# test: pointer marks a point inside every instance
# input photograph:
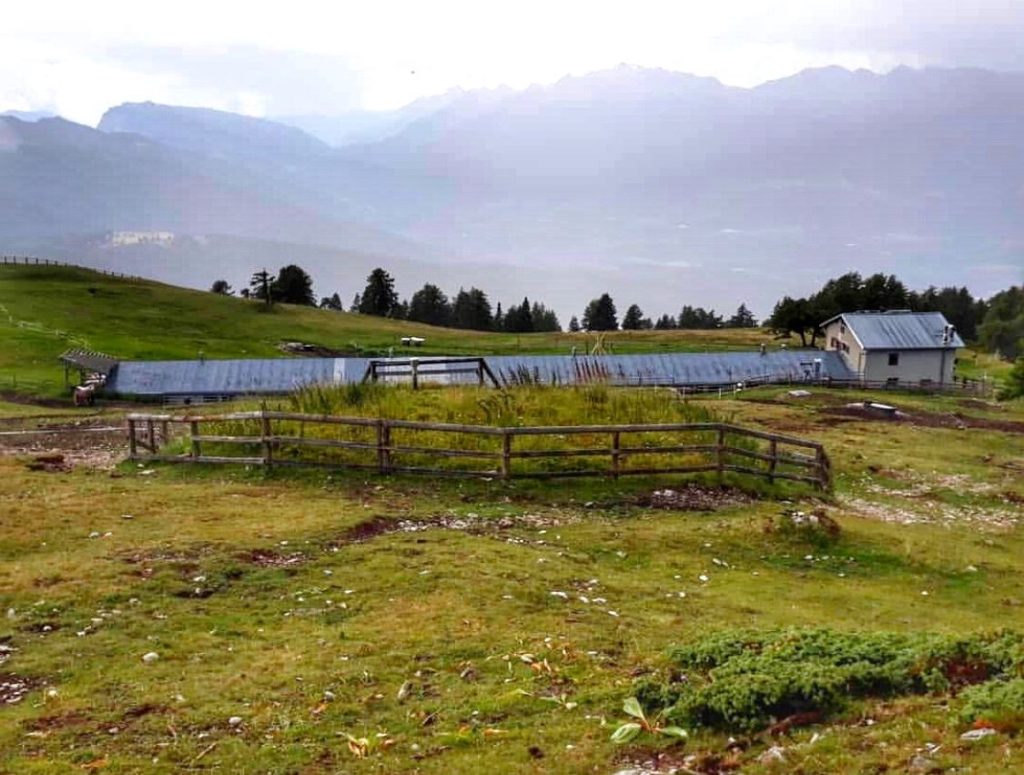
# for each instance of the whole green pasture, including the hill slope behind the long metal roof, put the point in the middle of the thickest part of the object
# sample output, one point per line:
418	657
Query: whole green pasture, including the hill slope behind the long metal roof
179	619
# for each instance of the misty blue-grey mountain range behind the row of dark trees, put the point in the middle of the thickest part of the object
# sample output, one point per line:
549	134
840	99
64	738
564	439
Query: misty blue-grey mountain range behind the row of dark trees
662	188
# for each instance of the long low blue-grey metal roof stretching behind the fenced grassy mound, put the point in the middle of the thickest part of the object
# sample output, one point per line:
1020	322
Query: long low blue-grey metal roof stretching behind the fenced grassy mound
215	378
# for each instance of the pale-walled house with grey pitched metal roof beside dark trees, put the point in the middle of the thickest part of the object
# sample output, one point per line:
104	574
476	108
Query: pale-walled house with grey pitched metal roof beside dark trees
898	347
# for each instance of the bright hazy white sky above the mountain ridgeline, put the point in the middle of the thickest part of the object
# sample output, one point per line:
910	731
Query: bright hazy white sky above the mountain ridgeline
300	57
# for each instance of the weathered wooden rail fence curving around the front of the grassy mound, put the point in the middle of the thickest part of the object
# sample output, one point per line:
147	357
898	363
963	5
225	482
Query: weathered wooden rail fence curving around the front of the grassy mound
280	439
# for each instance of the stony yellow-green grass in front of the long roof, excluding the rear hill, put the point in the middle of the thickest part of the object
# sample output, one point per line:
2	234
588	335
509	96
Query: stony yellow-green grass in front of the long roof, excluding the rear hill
336	622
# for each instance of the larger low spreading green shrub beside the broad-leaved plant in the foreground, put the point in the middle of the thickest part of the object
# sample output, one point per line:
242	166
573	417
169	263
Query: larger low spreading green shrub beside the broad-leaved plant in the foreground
746	680
